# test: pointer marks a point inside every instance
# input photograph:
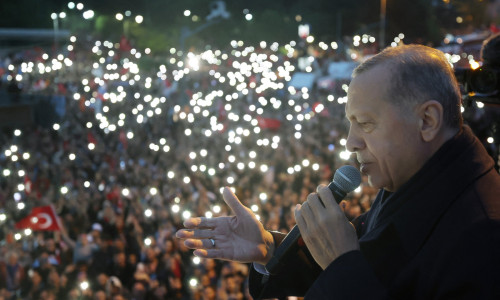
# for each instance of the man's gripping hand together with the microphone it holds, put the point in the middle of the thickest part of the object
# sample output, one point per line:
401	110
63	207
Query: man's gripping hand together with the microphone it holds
322	224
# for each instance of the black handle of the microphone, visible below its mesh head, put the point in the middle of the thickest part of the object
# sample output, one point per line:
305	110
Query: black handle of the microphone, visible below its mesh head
293	240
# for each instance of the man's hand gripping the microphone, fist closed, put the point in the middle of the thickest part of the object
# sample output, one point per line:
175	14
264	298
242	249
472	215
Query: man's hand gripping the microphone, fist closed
325	229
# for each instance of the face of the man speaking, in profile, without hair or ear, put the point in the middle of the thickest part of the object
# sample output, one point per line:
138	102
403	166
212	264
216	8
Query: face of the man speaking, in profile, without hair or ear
384	137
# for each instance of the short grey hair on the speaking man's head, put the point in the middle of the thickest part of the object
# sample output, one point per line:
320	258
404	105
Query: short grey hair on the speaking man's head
419	74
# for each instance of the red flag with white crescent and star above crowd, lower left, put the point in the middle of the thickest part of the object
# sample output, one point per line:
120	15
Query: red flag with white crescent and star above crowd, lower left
43	218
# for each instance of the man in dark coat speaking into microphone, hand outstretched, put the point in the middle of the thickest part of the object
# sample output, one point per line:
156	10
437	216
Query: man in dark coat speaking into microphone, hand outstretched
433	231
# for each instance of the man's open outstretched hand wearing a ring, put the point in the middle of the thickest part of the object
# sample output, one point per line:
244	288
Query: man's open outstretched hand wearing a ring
240	238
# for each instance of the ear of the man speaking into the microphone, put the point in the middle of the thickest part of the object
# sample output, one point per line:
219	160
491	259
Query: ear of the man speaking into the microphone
431	119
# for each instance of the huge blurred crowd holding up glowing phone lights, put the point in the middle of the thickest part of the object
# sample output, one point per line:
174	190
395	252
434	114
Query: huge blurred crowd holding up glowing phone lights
132	153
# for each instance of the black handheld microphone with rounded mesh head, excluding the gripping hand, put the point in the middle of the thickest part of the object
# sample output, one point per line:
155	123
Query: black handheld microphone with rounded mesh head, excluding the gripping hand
345	180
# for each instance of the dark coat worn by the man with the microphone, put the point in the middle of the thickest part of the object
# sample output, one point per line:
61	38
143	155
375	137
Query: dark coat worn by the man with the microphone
437	237
